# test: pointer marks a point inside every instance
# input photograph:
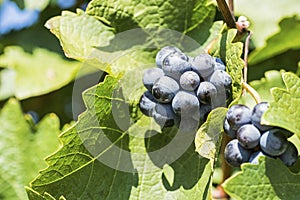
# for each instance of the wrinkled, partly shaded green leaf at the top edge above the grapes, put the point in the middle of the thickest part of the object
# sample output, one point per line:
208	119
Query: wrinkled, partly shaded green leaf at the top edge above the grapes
194	20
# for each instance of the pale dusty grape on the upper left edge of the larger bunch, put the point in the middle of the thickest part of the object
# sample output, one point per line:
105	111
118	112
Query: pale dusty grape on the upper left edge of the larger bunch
150	76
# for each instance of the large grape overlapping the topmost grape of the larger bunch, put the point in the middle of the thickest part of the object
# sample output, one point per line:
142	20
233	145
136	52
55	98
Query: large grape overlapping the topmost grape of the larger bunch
174	66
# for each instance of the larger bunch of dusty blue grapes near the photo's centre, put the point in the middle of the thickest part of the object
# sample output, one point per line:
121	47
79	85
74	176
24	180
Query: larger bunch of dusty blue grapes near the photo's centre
182	90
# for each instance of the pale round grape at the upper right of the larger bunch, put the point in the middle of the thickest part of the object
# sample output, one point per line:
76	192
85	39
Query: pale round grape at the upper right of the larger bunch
203	64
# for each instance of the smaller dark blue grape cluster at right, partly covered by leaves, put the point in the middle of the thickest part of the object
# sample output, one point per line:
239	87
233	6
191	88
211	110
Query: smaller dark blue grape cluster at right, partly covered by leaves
251	139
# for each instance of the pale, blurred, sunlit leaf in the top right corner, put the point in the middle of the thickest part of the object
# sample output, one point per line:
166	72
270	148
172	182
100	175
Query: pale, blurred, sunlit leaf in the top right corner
265	24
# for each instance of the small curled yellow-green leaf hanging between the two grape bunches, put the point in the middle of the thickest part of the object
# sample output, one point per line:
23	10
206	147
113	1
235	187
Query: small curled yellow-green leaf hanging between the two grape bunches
209	136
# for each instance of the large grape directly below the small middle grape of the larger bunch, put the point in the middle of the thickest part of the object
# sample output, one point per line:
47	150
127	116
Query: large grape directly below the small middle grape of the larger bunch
186	104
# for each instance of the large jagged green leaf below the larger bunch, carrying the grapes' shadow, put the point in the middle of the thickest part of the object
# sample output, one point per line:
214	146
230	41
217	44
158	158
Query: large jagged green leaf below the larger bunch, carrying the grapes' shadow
106	156
